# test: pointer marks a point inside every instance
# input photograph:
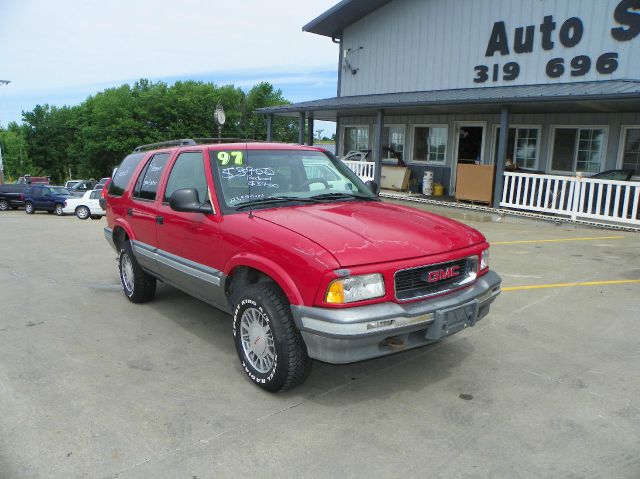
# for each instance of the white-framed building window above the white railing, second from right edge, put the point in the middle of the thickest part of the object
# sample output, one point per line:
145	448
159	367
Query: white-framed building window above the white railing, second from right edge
578	149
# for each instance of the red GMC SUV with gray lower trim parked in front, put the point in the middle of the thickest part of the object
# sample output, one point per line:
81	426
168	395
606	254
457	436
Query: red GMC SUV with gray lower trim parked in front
307	259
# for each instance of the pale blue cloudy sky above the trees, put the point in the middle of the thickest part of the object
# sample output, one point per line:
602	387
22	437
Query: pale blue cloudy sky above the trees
60	52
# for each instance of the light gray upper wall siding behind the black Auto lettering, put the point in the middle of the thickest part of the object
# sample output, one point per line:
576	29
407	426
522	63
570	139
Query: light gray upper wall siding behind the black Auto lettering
423	45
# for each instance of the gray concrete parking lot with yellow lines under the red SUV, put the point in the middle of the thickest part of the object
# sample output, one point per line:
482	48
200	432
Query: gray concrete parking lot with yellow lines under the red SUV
94	386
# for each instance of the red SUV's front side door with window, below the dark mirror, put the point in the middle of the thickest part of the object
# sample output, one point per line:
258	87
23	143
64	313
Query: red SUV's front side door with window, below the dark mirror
188	242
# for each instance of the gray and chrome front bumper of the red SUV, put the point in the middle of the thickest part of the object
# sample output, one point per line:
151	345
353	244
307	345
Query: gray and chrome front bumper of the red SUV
341	336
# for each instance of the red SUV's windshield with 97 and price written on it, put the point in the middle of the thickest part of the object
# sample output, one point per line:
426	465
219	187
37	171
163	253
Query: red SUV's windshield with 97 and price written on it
281	177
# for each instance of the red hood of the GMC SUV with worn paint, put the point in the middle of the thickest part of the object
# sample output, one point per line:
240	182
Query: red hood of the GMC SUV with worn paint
364	232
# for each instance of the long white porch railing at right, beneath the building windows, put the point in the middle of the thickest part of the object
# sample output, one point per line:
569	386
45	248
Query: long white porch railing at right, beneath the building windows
576	197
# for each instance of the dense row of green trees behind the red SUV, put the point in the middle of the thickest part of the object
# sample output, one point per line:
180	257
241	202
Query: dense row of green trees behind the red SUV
90	139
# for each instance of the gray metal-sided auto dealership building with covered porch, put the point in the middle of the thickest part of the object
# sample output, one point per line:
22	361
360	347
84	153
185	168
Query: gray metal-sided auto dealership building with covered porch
545	85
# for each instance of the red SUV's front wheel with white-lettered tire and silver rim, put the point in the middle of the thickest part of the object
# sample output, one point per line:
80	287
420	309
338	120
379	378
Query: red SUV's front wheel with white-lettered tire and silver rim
270	347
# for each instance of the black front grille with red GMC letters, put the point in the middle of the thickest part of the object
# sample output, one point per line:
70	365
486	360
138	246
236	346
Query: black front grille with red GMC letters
432	279
